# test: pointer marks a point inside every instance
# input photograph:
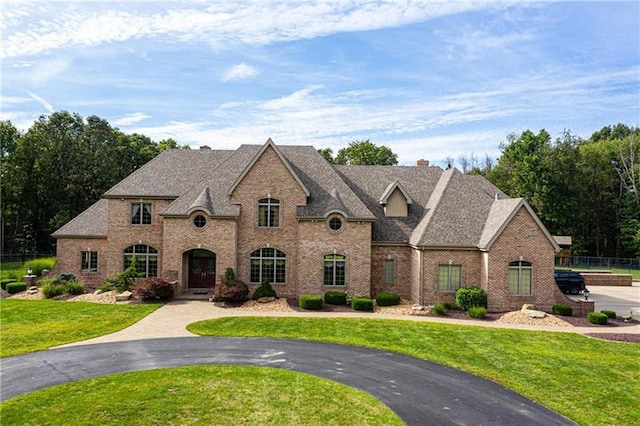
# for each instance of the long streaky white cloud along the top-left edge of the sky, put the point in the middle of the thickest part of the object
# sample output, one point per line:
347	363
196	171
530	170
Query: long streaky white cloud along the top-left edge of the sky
222	24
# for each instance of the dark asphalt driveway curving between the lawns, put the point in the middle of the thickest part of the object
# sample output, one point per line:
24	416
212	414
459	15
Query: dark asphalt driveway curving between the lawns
420	392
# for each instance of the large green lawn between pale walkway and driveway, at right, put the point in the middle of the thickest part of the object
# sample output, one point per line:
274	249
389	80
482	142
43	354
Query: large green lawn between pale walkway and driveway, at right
593	382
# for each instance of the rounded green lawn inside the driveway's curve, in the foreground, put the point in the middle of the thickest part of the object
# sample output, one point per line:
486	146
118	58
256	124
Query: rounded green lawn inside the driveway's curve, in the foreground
207	395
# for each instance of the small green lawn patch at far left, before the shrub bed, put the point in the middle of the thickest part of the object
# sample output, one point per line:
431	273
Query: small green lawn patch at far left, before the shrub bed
32	325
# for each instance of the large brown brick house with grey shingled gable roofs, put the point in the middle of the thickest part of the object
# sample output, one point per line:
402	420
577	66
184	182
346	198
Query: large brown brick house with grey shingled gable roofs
285	214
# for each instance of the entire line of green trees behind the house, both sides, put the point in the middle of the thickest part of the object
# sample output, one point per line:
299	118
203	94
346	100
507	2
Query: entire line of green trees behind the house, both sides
584	188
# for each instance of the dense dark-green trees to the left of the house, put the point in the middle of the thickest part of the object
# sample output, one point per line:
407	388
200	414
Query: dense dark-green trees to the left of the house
56	169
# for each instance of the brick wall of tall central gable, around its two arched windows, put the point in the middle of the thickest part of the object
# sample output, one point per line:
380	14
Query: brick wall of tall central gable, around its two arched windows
268	178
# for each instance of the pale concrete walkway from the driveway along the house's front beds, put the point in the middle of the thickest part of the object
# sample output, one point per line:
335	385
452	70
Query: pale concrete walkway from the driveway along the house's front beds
172	319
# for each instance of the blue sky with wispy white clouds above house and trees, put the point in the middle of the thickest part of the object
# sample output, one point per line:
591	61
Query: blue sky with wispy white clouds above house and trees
428	79
